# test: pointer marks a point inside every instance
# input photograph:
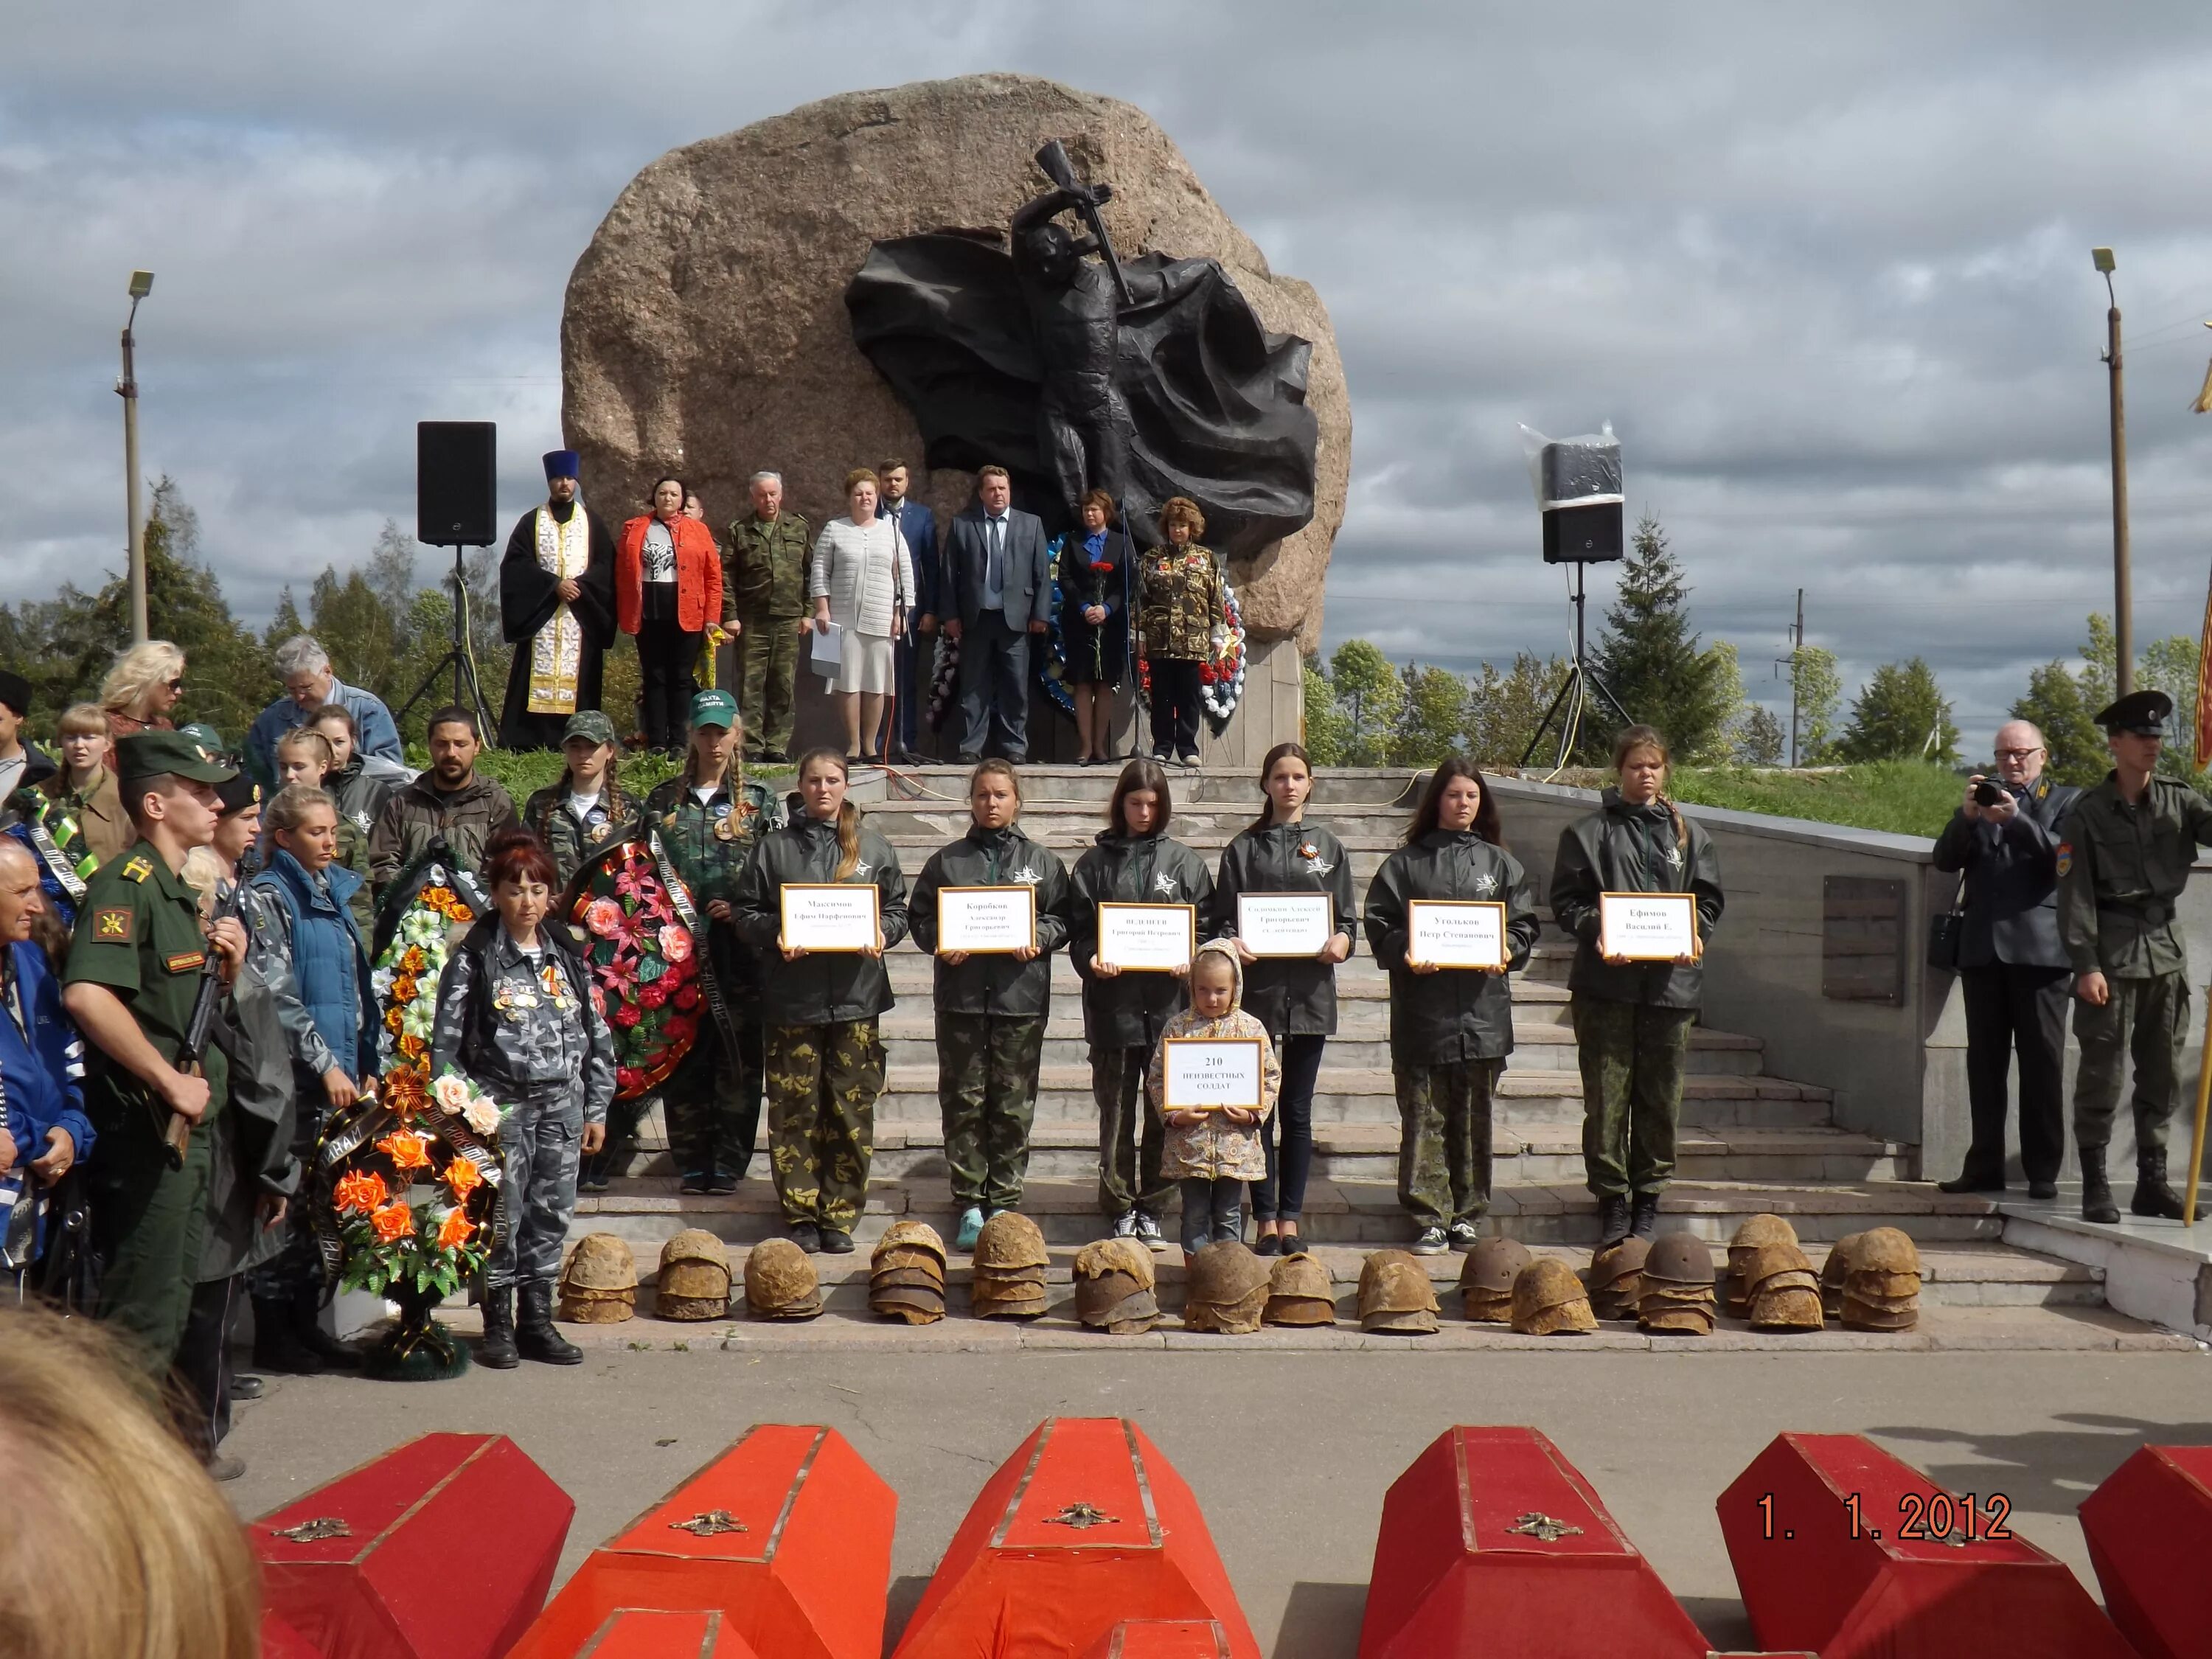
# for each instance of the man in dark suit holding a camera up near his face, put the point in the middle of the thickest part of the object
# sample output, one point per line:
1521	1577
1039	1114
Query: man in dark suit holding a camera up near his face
2012	966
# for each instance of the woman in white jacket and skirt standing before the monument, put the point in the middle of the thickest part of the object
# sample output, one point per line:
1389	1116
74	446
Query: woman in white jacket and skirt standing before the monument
862	578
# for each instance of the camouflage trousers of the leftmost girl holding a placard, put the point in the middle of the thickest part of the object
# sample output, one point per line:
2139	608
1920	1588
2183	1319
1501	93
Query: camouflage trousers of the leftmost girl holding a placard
822	1118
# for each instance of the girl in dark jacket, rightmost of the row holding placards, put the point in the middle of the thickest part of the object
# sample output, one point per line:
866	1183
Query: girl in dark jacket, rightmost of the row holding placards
1634	1014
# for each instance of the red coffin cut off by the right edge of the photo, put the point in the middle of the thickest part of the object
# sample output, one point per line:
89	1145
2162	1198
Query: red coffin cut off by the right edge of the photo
2151	1541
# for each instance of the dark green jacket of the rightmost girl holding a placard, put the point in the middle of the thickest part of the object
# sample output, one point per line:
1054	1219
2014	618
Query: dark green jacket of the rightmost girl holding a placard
1634	851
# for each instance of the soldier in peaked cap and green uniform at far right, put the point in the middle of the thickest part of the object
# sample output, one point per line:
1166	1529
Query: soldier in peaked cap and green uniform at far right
2122	866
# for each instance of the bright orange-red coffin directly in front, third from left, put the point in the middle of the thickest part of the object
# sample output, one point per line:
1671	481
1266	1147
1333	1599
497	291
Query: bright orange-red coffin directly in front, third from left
1081	1530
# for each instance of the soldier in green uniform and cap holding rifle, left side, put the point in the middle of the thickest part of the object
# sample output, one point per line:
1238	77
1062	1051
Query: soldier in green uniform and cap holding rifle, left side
134	979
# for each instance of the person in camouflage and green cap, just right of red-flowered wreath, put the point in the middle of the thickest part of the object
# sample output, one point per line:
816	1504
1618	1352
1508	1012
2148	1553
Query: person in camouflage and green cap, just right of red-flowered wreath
713	1098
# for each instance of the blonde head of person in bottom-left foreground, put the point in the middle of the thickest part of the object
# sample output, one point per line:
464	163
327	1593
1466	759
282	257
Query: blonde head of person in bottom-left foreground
116	1543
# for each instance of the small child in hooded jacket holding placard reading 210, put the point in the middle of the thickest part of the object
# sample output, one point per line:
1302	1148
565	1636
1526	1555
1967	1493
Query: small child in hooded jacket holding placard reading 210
1213	1154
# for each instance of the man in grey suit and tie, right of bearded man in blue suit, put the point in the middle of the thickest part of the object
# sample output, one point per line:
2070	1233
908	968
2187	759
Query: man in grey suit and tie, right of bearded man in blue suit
997	592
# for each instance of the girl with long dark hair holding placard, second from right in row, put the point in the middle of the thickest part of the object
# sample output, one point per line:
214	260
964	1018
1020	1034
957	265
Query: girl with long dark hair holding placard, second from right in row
1450	1025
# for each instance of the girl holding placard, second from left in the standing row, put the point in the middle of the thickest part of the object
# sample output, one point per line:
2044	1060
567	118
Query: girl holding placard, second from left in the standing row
994	990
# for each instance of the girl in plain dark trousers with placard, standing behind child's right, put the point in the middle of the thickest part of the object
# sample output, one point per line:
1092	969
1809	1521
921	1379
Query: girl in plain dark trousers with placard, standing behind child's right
1291	994
